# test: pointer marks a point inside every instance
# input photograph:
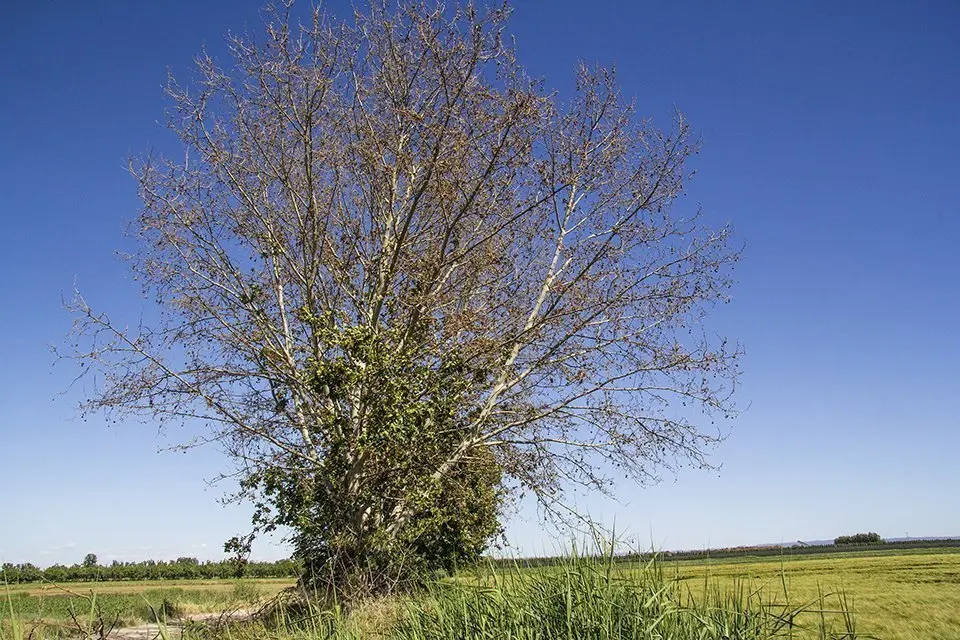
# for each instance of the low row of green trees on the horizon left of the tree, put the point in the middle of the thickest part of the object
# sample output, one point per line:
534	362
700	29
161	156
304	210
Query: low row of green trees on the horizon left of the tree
180	569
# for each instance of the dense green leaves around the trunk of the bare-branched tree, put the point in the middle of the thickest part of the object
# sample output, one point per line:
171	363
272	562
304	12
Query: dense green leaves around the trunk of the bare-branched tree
374	512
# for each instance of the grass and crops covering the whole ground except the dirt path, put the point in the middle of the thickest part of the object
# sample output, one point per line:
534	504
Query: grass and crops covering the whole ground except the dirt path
890	594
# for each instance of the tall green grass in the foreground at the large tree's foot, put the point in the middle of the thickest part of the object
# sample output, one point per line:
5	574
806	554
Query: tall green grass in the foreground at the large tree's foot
584	598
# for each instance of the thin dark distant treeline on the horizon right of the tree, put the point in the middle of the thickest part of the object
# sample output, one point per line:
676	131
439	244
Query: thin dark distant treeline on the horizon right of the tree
738	552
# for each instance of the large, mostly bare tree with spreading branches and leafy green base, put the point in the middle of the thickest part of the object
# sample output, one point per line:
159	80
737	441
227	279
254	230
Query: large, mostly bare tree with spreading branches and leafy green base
395	276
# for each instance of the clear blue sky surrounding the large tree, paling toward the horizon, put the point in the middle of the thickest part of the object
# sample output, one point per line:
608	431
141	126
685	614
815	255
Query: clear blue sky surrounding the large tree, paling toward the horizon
831	140
